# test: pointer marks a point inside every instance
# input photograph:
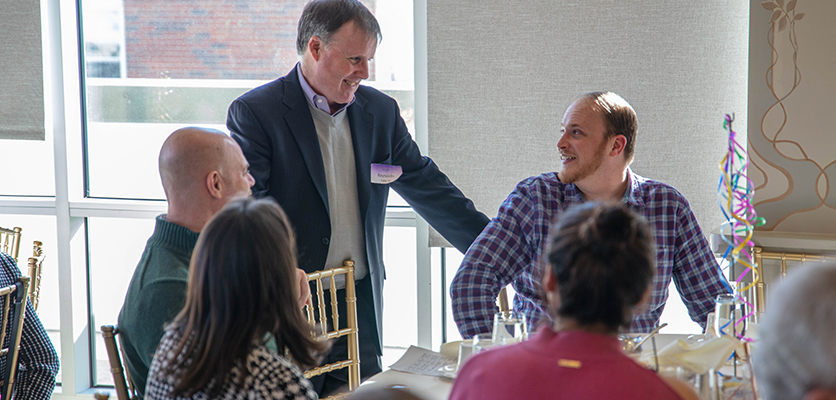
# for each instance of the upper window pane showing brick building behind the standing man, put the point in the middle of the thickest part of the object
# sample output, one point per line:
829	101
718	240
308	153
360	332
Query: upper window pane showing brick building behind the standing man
153	66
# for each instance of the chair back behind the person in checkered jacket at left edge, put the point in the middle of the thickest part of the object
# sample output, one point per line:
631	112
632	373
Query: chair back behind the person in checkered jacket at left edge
13	299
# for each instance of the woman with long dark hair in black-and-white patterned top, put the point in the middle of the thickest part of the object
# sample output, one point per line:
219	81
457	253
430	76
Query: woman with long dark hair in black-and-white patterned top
242	289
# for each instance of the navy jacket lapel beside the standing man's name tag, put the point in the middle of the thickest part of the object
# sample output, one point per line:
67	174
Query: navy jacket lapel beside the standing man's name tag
362	127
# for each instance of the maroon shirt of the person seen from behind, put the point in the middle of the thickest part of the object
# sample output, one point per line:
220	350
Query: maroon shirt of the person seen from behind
567	365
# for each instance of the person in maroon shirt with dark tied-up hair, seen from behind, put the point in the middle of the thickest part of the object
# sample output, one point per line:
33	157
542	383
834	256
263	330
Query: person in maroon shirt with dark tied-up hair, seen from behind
599	270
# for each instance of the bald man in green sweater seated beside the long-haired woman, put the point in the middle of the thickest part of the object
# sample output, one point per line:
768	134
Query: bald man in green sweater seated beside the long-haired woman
201	171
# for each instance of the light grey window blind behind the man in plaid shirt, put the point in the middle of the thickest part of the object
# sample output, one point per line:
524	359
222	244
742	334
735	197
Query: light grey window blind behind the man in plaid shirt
501	74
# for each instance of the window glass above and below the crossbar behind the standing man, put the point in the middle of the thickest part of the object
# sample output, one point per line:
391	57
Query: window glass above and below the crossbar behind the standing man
153	66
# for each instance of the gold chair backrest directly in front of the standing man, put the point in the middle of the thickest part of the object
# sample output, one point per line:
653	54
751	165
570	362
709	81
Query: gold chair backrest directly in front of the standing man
350	331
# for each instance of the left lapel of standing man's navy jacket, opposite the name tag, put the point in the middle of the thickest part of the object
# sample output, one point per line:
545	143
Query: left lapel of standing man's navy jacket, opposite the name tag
301	125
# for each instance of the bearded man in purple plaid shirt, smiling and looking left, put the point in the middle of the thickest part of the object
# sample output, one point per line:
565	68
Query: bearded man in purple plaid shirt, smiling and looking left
596	147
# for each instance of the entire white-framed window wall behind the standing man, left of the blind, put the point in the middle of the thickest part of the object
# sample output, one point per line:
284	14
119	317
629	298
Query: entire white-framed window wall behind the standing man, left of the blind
120	76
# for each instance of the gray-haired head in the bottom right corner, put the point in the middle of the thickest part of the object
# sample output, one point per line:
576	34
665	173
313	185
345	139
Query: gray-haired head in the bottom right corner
797	350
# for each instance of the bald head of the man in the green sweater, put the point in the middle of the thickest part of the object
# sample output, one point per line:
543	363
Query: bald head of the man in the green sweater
201	170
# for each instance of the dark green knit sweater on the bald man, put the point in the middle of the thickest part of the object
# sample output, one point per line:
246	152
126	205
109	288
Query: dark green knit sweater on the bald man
156	294
